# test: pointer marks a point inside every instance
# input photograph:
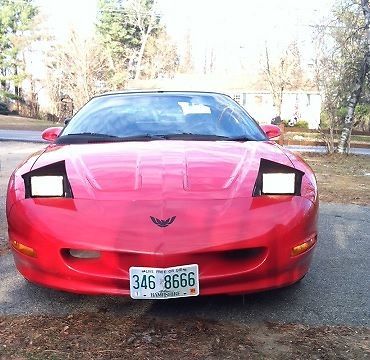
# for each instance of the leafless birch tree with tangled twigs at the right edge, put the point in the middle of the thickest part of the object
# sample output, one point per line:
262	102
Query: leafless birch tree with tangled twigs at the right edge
341	69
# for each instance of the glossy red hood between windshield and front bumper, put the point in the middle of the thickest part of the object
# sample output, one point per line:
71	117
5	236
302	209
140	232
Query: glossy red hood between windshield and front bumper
162	169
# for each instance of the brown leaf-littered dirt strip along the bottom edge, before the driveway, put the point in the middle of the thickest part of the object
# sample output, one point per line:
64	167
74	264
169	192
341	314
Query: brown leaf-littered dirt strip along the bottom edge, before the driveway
106	336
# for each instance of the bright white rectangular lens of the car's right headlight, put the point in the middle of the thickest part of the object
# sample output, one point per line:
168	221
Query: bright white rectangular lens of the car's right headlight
278	183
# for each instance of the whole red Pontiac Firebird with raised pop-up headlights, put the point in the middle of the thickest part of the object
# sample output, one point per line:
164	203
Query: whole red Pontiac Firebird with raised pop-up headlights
160	195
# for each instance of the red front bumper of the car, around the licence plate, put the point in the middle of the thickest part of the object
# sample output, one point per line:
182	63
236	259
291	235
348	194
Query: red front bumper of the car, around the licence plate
239	249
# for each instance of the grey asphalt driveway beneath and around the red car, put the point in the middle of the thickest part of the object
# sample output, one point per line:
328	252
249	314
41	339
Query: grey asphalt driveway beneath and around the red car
336	291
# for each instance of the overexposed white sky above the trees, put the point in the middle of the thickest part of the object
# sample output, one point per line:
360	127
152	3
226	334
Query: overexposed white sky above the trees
237	31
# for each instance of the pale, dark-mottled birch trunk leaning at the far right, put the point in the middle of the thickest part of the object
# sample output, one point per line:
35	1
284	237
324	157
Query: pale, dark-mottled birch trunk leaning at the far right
357	90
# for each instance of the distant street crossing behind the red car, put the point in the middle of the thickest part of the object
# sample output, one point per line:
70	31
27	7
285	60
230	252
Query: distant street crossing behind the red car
35	136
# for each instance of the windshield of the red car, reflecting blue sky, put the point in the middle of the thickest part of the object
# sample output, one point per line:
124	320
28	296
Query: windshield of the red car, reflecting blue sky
150	116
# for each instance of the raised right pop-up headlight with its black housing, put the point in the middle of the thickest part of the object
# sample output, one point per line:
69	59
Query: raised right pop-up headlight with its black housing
277	179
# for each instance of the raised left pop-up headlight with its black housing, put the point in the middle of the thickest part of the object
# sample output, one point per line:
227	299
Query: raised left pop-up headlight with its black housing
48	181
